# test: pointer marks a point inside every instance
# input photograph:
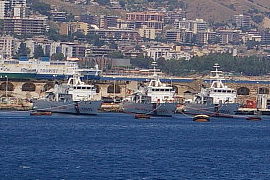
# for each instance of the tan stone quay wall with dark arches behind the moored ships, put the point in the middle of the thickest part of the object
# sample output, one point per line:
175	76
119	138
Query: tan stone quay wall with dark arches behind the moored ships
26	89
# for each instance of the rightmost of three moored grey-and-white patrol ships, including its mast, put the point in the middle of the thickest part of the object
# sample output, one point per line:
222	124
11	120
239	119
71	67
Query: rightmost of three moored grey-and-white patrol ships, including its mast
217	100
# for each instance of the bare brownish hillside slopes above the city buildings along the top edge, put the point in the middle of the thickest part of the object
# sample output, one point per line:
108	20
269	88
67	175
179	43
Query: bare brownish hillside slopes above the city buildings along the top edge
210	10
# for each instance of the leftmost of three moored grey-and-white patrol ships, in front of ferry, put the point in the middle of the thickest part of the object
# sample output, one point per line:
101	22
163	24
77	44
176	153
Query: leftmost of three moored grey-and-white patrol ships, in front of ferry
75	97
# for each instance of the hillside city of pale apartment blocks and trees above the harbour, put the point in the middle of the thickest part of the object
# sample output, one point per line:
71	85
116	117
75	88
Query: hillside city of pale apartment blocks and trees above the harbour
125	35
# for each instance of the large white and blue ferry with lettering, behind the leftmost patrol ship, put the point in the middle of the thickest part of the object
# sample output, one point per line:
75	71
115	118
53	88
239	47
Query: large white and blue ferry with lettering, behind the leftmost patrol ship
50	70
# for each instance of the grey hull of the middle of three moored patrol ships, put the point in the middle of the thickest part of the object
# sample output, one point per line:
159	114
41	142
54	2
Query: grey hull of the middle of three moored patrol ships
154	109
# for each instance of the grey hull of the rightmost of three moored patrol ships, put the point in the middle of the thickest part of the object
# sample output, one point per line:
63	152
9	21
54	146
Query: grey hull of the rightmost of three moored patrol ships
223	110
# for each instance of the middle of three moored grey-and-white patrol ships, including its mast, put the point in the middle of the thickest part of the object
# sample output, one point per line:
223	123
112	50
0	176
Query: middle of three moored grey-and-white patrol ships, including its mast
156	99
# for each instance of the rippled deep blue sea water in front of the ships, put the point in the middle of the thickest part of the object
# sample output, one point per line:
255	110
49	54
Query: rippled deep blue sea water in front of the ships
117	146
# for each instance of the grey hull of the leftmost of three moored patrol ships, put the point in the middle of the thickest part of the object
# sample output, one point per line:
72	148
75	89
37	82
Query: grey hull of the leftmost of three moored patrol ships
82	107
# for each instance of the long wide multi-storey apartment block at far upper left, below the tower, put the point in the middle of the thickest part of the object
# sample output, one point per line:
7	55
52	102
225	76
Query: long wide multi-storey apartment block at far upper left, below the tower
34	25
